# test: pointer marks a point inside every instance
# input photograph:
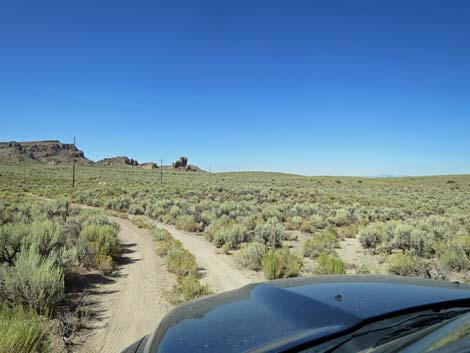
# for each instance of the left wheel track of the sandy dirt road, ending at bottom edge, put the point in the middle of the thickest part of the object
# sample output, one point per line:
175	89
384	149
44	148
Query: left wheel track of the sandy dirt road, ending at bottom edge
133	303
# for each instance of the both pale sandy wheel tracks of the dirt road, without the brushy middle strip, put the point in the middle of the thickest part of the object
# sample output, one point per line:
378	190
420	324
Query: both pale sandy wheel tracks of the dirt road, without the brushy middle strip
133	303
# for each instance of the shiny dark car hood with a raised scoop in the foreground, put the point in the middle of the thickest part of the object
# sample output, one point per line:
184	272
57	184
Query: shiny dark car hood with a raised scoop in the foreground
283	314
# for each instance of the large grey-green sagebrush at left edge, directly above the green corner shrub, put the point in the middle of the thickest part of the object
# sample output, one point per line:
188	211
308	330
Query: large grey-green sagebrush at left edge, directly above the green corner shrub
33	280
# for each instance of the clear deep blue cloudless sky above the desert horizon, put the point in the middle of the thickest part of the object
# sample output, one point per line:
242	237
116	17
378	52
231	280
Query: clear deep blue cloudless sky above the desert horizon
351	87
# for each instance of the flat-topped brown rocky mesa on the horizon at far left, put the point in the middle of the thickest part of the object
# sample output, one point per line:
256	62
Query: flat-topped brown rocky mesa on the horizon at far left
50	151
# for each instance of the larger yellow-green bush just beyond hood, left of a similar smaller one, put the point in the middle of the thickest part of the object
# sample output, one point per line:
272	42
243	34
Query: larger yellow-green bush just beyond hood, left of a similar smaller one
280	263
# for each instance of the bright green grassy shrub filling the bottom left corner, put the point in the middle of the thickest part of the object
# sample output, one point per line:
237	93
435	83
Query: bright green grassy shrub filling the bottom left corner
22	330
